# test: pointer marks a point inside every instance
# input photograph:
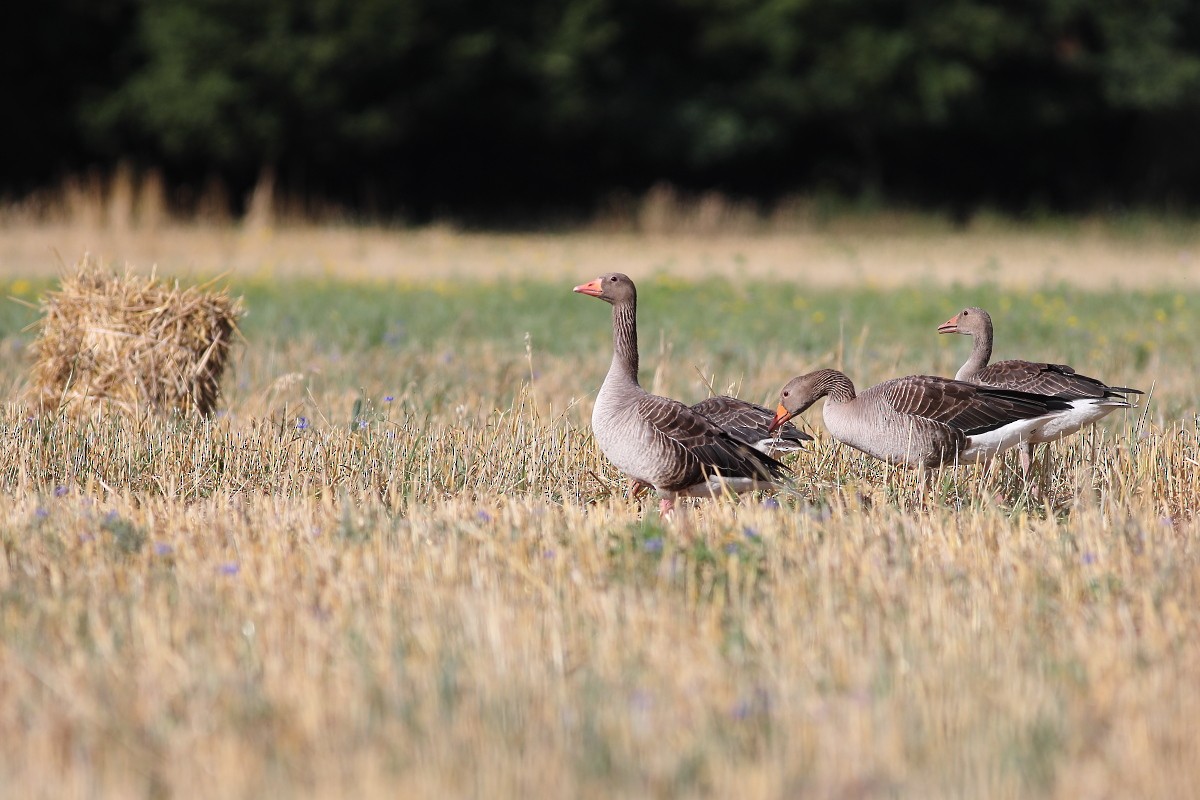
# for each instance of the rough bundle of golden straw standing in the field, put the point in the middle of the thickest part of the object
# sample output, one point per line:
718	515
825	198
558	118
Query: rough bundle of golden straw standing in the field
131	342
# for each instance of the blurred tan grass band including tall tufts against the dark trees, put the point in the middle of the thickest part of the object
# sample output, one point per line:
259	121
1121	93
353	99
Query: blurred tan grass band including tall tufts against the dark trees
128	218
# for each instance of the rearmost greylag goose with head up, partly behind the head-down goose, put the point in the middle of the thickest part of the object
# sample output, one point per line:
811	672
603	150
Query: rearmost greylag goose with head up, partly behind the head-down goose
1091	400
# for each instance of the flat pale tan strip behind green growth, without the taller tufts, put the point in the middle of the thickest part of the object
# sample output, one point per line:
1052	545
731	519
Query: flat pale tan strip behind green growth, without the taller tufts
877	252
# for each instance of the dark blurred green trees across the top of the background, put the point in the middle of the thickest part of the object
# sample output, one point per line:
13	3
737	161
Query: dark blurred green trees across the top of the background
490	109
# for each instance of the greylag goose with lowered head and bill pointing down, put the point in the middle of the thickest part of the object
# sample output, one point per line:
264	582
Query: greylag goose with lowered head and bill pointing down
920	420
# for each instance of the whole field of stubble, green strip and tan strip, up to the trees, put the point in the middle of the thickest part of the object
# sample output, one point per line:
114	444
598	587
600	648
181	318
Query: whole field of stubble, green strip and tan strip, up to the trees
397	566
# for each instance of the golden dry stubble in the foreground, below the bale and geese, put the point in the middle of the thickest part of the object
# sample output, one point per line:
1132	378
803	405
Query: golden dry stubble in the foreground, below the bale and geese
422	607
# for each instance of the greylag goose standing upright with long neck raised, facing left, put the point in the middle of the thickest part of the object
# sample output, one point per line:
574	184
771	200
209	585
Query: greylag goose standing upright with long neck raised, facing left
657	441
